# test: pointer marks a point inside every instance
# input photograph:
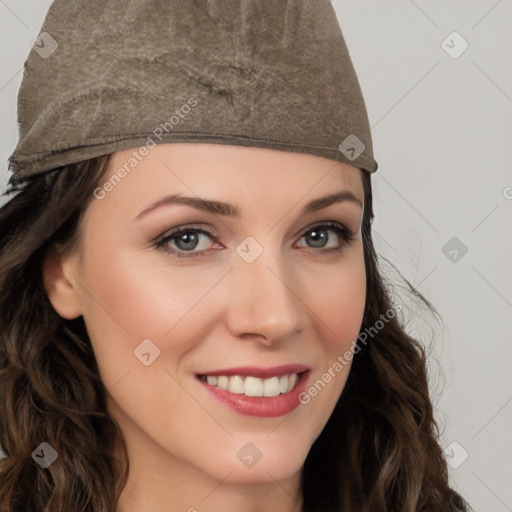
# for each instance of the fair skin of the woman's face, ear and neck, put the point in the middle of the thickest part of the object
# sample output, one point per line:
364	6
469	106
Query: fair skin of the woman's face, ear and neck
296	303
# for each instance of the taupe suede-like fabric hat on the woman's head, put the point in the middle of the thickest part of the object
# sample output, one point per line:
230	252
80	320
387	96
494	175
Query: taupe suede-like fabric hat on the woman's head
107	75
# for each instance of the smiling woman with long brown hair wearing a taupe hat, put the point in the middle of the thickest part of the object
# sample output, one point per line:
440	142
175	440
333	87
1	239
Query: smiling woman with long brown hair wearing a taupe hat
192	314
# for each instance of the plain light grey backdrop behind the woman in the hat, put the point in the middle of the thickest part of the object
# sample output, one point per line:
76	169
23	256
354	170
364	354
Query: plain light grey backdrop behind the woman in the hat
442	136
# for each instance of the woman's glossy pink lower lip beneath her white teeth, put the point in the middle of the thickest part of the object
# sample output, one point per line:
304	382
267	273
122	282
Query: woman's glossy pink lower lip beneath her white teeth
263	406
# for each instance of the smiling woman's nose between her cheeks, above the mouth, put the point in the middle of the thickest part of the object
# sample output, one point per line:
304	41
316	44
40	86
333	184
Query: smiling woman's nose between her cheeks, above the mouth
262	300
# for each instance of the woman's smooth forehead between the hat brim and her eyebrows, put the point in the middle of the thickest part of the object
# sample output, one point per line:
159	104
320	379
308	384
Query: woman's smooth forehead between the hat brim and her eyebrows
219	167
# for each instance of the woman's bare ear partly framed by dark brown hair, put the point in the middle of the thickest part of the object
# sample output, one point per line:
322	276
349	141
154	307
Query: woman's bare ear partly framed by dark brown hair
60	285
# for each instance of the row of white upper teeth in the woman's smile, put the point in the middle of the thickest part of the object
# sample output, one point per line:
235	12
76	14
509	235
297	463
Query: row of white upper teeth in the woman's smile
253	386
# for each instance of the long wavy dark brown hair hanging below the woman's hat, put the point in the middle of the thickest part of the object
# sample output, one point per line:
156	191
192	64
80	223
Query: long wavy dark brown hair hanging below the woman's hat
379	451
